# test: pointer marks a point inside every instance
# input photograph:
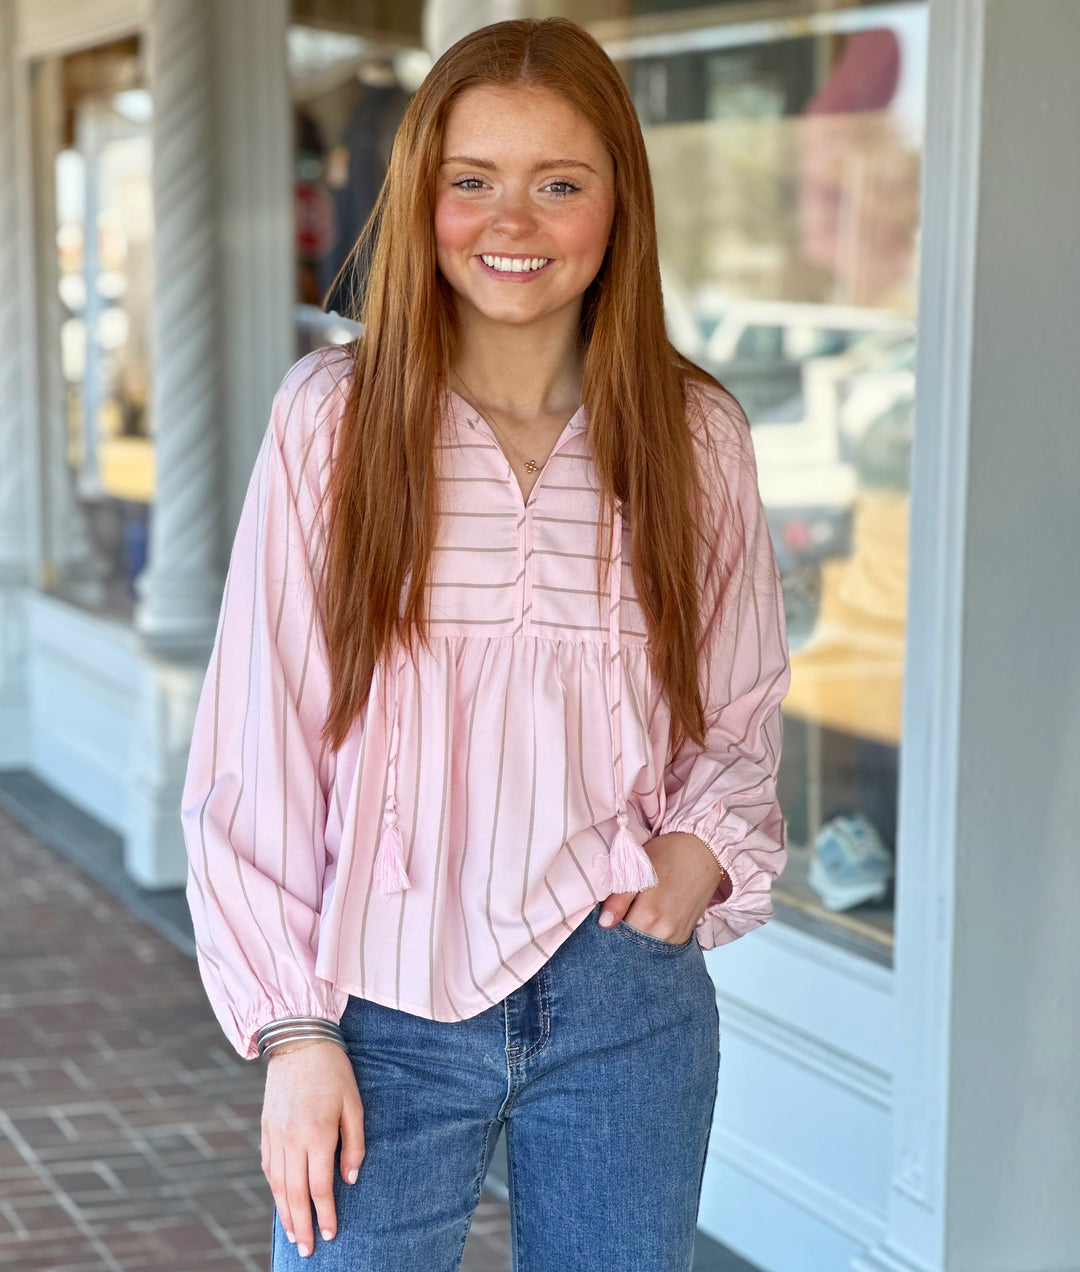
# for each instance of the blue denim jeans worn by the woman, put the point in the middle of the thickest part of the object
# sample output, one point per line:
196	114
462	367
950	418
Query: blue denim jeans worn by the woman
602	1069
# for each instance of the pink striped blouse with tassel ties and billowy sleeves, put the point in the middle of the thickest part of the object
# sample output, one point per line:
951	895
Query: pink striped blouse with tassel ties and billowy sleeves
490	796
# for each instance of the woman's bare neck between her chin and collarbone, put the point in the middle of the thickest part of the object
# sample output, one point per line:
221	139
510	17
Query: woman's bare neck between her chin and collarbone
518	372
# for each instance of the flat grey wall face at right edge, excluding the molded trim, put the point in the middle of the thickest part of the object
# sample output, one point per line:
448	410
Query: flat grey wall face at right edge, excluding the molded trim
1014	1105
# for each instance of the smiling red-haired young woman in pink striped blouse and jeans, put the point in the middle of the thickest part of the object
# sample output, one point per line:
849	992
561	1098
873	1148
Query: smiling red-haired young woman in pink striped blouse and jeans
488	746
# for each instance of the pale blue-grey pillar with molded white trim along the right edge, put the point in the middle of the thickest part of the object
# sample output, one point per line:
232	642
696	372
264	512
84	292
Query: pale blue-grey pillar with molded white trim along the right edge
987	1157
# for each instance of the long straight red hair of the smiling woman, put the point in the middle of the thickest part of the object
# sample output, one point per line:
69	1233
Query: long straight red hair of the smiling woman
384	485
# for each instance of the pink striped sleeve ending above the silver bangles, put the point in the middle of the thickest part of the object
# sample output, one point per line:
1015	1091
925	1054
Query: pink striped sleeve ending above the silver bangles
255	798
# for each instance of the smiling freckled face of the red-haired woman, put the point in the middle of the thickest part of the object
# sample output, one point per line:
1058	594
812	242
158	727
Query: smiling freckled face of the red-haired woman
525	204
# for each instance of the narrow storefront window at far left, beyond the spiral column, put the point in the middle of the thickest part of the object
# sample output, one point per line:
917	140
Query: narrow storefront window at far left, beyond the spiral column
92	132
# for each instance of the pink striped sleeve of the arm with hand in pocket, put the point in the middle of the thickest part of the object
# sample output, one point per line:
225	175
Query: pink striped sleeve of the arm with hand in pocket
726	793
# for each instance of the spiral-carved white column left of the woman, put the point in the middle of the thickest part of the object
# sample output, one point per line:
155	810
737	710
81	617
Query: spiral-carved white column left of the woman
181	590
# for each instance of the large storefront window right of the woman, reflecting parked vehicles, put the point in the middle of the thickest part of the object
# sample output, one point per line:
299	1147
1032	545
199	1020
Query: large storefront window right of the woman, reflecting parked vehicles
786	157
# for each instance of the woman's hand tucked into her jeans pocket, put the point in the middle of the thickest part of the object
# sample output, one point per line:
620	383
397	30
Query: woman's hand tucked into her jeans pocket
689	877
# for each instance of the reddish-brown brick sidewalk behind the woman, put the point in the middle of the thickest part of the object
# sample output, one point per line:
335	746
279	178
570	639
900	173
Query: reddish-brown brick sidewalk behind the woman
129	1129
